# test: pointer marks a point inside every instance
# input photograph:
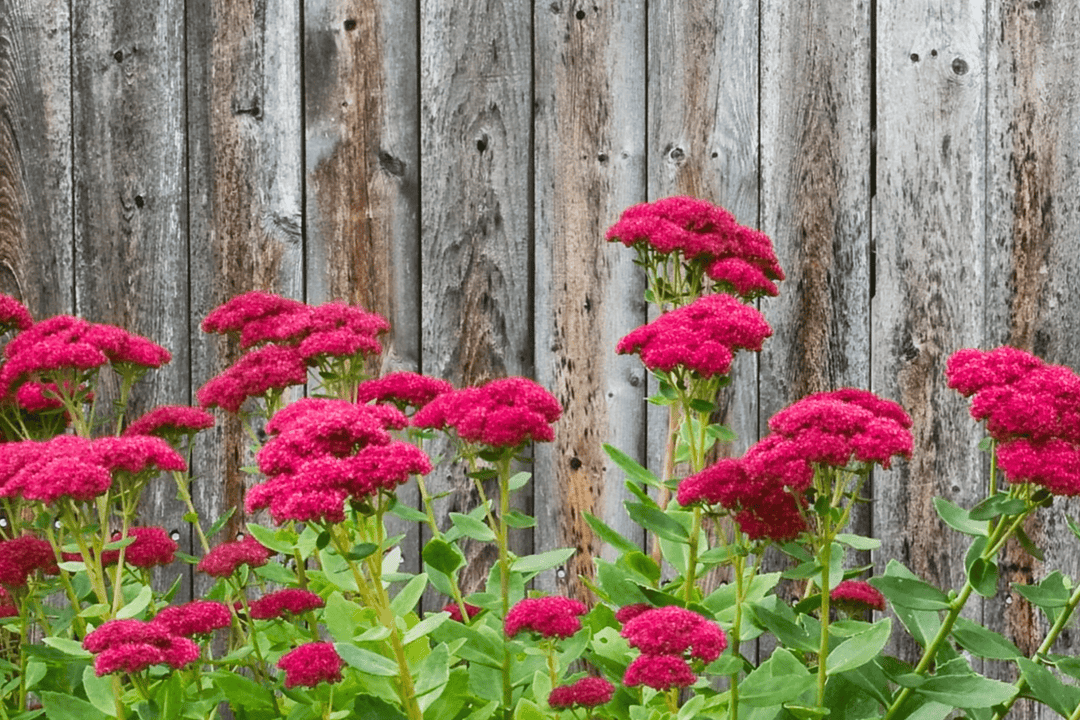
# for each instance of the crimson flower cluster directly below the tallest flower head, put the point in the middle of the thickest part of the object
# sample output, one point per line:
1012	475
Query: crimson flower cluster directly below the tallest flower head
701	337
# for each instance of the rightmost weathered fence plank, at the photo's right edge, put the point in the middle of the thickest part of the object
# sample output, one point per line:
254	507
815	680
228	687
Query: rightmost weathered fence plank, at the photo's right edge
1034	253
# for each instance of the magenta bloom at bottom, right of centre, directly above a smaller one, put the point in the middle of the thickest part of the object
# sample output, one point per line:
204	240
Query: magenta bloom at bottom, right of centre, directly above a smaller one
673	631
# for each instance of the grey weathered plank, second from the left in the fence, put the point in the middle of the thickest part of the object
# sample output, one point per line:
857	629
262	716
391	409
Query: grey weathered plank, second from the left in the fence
130	199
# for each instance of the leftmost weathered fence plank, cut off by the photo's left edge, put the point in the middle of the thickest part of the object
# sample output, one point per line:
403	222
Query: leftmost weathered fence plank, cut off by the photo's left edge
36	216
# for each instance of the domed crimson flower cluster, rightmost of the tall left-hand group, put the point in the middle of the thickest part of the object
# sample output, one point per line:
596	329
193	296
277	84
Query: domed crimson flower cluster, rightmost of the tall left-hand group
503	414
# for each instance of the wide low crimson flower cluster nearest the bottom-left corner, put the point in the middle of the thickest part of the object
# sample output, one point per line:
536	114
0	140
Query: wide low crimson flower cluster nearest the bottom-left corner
132	646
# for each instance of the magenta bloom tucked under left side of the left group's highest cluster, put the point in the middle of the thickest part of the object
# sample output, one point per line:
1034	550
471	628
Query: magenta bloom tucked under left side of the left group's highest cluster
254	375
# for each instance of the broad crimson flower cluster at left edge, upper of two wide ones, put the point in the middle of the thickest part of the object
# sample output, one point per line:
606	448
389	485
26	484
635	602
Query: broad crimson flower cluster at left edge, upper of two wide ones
66	343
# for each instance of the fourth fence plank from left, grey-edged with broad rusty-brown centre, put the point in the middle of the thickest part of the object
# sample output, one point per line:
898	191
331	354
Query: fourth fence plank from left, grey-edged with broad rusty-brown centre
363	153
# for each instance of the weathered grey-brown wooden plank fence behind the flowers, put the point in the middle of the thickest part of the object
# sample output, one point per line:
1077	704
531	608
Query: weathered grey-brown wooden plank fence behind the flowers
454	165
